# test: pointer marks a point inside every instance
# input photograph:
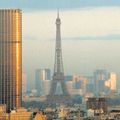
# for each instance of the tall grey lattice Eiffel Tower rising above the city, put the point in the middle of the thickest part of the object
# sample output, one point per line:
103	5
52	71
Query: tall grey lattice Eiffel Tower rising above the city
58	76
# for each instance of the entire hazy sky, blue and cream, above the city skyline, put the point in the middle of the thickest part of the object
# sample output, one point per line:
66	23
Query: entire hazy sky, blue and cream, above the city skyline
90	33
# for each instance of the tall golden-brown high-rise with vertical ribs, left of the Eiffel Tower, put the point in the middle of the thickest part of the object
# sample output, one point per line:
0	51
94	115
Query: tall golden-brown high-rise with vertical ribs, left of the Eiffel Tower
10	57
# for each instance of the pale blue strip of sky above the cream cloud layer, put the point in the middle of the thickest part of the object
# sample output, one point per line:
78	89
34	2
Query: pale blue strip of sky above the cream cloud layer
54	4
